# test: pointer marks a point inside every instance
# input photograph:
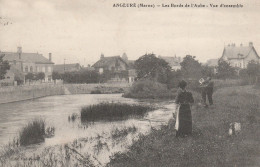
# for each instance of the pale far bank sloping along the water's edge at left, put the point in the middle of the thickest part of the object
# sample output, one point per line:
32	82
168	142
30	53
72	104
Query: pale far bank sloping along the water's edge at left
27	92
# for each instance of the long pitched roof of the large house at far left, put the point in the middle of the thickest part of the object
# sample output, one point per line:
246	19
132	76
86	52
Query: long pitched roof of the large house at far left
26	57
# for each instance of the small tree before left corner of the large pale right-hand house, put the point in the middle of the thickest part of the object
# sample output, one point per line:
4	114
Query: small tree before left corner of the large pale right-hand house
225	70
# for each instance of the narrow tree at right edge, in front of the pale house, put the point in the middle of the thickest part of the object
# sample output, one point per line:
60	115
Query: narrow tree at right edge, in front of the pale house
253	70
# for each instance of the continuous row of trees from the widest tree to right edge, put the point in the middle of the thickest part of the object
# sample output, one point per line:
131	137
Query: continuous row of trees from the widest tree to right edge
151	67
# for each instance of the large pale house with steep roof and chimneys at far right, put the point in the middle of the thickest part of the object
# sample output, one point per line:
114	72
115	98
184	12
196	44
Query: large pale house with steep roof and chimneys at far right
239	56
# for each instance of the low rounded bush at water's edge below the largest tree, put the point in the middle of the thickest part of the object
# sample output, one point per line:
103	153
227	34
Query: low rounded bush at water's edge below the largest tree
146	88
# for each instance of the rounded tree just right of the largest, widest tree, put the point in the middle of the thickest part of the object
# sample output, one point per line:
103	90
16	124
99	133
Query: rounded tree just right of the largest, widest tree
191	68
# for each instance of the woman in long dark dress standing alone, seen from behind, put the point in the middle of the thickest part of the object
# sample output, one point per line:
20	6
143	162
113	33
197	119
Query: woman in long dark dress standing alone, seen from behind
183	101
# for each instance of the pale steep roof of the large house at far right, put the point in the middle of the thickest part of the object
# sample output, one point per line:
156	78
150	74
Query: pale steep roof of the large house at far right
237	52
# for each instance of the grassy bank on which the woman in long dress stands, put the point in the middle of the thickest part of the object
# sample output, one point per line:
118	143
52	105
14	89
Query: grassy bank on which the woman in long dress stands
210	145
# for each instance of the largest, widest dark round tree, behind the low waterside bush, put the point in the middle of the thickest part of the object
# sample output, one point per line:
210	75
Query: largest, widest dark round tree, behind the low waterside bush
149	66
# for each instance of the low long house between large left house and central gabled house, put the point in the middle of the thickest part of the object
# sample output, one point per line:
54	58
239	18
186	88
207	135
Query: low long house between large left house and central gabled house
61	68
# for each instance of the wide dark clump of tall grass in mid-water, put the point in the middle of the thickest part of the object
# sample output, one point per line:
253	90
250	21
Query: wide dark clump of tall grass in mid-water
113	111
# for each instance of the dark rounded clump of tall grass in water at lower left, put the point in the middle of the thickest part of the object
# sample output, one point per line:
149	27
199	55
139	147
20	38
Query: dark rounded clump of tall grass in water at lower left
32	133
